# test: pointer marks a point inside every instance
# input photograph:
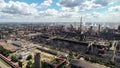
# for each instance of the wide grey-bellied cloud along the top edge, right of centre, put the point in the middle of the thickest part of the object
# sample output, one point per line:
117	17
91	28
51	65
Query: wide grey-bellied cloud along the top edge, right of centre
83	5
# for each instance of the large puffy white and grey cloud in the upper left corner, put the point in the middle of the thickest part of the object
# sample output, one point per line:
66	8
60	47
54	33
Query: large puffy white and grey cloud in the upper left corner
20	8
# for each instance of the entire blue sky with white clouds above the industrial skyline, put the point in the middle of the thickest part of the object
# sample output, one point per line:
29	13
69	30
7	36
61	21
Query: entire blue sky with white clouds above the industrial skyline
59	10
